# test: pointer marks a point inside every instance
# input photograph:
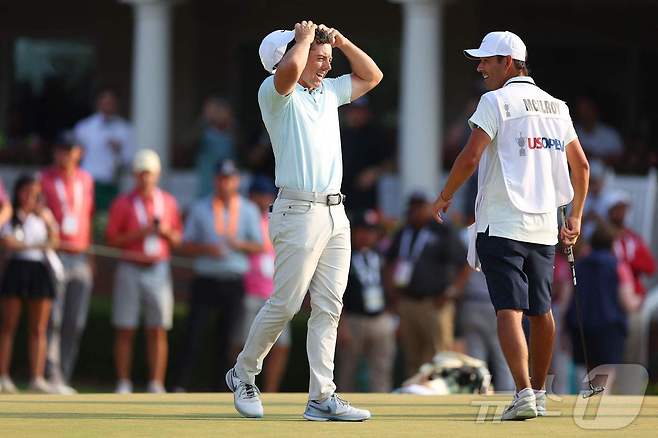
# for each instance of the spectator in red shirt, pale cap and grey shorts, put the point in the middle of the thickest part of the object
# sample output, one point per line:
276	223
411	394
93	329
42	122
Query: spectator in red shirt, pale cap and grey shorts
146	225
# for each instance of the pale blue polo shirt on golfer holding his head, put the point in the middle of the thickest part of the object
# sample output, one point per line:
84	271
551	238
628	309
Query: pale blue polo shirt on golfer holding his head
305	135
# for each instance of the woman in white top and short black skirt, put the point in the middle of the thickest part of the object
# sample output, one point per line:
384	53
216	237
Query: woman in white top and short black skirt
31	231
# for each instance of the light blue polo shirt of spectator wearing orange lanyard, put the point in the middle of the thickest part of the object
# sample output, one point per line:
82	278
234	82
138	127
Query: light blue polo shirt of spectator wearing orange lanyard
200	228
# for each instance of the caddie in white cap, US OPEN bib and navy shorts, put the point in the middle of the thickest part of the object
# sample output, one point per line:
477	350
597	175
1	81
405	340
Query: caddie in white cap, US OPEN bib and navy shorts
524	142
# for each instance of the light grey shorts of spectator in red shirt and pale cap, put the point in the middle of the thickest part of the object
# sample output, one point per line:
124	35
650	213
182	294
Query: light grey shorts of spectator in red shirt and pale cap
147	287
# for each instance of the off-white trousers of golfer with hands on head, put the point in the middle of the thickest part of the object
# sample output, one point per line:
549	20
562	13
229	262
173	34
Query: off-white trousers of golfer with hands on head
312	245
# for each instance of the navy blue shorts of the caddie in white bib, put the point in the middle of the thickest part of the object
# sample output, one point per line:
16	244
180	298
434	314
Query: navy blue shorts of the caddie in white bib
519	274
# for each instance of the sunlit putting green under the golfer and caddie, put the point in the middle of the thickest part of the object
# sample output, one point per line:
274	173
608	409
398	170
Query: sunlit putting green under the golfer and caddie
183	415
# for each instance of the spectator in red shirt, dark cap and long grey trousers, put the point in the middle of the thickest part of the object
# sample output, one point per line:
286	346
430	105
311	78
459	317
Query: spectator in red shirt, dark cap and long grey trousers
69	194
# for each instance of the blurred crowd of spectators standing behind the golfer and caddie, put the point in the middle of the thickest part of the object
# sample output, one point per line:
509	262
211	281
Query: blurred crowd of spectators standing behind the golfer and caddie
410	292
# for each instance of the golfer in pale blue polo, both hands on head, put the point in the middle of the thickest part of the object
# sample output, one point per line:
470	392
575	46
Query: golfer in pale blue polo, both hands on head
308	226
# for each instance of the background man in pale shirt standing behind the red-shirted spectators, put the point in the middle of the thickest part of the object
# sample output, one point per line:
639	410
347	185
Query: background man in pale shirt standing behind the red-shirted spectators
108	145
